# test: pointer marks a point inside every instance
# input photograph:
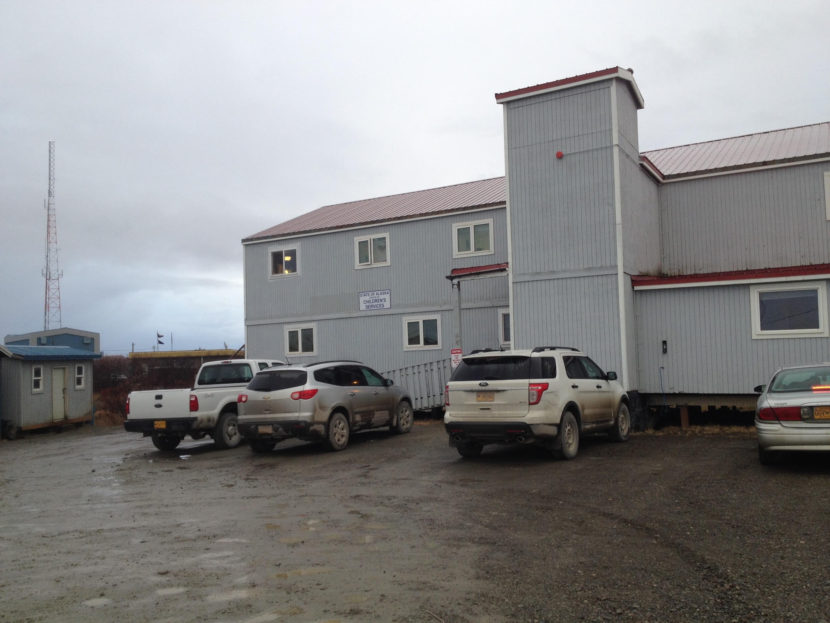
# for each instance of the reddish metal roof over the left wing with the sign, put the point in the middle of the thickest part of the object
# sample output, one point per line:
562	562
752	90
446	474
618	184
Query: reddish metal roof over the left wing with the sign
481	194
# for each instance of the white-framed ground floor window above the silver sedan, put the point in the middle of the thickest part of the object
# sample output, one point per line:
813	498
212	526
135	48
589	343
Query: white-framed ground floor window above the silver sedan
789	310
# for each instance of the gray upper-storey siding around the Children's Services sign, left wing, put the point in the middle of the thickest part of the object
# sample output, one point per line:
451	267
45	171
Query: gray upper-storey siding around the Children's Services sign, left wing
328	284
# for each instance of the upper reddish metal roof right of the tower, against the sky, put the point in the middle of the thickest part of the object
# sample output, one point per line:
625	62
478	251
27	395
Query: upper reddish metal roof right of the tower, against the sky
740	152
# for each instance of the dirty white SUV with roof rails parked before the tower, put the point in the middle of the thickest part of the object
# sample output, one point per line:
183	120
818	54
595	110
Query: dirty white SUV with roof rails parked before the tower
550	395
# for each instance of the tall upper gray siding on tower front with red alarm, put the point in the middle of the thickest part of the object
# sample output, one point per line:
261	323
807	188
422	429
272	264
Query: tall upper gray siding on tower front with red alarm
563	207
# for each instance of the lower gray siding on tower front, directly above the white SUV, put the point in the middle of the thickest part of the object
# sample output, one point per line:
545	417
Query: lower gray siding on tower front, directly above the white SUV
579	312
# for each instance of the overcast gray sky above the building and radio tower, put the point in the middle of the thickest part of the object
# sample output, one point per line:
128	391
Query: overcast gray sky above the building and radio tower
183	126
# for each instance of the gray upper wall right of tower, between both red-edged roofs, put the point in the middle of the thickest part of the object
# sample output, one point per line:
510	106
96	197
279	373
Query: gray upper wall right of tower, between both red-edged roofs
739	222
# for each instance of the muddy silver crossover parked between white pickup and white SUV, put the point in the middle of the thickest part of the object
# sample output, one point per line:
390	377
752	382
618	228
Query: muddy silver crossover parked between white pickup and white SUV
324	401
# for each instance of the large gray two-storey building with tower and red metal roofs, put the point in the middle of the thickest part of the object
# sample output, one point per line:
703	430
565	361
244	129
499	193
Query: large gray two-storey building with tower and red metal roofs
692	271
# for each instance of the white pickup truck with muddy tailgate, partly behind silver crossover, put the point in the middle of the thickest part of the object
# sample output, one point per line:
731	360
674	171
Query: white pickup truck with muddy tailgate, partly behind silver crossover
209	408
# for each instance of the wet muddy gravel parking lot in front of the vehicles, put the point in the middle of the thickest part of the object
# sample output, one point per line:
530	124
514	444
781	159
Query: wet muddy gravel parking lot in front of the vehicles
96	525
